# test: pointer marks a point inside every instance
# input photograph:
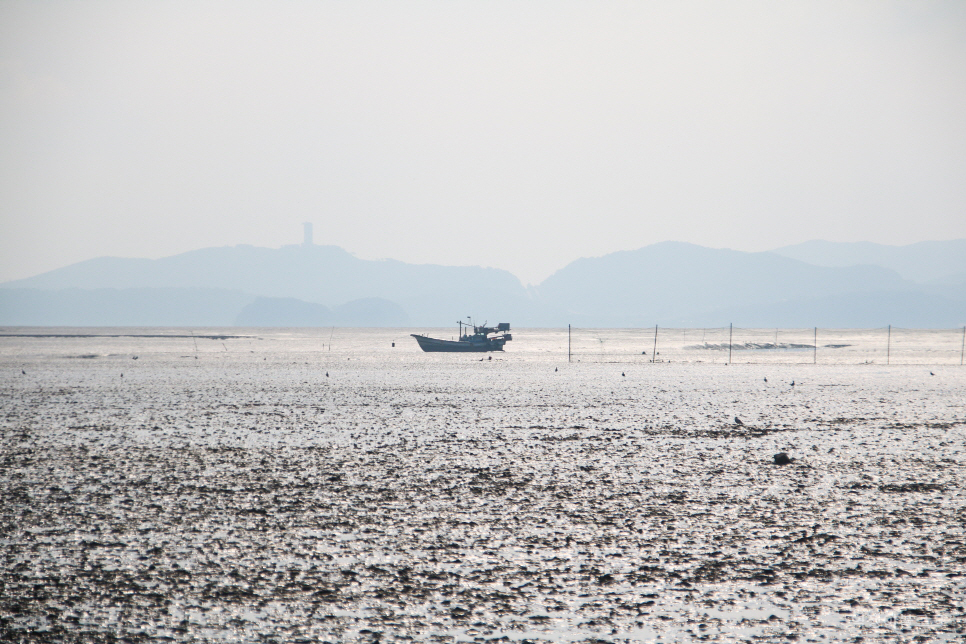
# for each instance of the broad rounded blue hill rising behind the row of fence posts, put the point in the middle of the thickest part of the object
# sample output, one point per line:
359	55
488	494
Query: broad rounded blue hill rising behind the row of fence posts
678	284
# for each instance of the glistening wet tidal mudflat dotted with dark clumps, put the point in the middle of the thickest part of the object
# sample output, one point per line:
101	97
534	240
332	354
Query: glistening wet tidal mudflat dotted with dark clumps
303	487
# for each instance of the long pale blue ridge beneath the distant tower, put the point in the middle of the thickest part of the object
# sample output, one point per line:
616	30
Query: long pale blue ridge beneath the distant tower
428	295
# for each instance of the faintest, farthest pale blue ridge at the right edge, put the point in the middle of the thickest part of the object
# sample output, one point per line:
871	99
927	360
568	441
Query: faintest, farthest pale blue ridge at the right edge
920	262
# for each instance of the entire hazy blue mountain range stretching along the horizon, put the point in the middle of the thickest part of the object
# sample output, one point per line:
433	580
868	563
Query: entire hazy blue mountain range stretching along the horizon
671	283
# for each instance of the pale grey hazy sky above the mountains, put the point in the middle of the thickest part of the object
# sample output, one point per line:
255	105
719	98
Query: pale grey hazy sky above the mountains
520	135
